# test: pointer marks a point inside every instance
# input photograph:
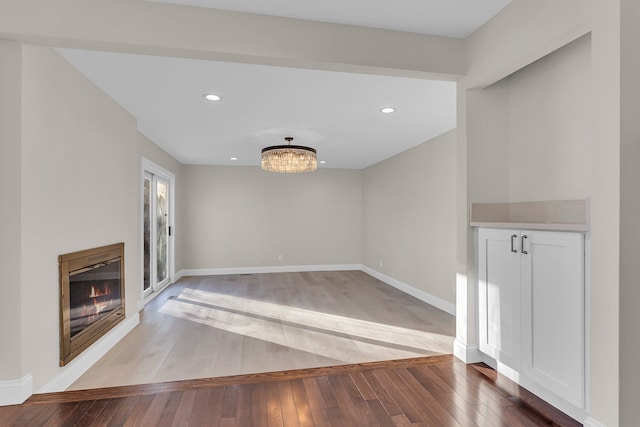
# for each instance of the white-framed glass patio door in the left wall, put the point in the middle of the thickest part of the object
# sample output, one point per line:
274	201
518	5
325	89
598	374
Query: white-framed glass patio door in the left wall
157	228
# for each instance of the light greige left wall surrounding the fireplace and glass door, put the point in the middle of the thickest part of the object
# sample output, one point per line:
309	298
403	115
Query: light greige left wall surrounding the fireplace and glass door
71	181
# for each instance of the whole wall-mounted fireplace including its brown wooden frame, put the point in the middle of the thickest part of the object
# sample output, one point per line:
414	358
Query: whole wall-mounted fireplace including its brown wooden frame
91	297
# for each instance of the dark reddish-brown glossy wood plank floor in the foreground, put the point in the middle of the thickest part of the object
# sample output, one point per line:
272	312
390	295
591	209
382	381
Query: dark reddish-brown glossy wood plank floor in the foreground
429	391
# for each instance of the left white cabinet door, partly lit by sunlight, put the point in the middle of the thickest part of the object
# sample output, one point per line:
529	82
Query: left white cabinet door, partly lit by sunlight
499	295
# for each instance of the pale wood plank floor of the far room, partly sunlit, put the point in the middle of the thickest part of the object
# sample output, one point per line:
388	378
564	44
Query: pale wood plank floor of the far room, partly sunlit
213	326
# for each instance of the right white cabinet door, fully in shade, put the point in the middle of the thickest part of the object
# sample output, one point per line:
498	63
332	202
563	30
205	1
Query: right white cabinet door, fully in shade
553	312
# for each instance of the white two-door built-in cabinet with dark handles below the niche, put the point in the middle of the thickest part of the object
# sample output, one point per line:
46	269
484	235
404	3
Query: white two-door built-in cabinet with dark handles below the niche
531	307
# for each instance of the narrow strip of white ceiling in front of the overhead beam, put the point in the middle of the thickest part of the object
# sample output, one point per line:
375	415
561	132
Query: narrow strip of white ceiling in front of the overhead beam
451	18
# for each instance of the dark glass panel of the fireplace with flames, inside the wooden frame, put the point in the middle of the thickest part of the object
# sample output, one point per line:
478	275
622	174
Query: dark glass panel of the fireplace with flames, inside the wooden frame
94	293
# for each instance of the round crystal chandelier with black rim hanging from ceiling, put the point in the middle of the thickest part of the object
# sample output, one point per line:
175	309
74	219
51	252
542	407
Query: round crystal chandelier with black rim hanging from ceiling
289	158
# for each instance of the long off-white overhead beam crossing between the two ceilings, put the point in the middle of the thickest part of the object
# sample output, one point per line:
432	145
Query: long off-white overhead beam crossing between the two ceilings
139	26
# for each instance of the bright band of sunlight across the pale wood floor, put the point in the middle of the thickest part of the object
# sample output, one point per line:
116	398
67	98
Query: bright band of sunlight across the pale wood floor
329	335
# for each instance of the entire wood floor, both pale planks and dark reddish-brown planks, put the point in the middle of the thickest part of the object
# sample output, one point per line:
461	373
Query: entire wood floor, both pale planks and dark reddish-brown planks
299	349
